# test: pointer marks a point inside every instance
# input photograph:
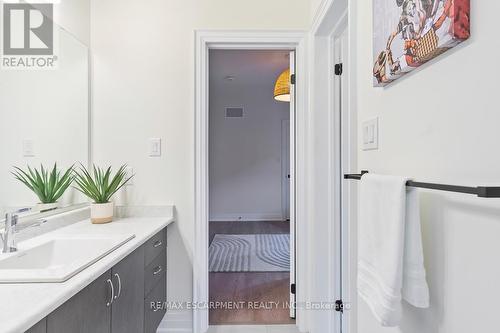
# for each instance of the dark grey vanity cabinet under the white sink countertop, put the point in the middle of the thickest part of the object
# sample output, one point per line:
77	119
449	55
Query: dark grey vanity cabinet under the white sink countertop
126	299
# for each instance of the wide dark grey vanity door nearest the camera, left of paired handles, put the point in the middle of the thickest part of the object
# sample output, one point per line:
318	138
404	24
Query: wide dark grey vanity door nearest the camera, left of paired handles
86	312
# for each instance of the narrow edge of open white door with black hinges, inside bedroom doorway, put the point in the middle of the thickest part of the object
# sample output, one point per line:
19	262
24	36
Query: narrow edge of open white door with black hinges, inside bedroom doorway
292	187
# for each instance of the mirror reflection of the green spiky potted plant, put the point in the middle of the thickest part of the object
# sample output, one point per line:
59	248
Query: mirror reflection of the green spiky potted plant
48	186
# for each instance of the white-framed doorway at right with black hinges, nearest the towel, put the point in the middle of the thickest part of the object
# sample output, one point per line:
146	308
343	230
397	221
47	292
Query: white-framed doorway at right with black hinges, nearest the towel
334	154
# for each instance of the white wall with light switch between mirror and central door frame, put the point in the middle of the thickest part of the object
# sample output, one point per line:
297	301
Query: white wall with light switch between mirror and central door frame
143	75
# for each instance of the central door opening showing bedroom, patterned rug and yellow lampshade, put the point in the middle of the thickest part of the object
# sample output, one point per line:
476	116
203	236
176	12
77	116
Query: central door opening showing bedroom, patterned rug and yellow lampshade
251	202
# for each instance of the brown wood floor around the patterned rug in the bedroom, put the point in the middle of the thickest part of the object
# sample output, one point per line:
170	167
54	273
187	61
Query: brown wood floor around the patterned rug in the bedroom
256	298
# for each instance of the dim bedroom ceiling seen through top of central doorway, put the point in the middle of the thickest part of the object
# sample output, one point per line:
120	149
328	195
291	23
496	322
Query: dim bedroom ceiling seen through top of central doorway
248	67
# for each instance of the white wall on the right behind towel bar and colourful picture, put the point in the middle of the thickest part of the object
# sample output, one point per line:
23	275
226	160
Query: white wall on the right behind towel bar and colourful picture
440	124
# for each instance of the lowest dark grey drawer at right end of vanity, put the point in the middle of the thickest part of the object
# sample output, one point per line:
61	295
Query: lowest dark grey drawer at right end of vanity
154	314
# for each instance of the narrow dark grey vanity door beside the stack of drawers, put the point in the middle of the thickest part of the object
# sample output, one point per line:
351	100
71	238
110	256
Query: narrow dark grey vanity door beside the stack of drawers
127	313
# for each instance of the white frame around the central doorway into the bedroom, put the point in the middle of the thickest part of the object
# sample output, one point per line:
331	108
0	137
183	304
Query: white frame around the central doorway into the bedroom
231	39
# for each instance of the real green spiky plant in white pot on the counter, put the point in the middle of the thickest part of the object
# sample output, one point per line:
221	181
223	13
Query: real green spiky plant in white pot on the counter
100	186
